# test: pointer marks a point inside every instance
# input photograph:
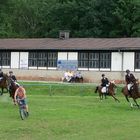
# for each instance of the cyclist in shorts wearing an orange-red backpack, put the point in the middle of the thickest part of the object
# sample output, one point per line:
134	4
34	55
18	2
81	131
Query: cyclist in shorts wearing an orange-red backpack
20	94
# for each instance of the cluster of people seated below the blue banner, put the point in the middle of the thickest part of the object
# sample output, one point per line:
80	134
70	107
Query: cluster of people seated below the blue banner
70	76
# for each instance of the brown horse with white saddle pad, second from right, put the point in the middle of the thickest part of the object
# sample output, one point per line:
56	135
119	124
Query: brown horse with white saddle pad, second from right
111	91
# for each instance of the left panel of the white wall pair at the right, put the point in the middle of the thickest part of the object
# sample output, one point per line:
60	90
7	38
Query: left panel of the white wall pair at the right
116	61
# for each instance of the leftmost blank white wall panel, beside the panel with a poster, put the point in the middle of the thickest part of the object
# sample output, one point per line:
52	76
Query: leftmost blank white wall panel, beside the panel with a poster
14	59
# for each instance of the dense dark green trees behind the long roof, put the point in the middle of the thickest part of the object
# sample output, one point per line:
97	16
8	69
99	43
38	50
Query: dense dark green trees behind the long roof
84	18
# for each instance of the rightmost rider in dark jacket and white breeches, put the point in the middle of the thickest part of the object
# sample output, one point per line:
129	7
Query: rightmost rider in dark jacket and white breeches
130	81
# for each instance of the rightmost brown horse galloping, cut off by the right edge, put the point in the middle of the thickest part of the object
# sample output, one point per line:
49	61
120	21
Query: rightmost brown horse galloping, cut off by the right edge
135	94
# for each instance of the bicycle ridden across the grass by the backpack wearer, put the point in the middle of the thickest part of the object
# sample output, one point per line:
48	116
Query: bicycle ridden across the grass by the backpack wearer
22	109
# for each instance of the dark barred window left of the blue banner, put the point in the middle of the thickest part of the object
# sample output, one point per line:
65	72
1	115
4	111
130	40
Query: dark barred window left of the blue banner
42	59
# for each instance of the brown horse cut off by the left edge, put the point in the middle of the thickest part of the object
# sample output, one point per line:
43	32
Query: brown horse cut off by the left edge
4	83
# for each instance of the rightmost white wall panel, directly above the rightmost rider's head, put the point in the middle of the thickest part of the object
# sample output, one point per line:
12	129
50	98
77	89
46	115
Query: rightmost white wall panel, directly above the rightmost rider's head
128	61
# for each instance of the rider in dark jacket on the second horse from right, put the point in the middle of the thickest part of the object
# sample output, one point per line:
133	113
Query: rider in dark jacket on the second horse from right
104	83
